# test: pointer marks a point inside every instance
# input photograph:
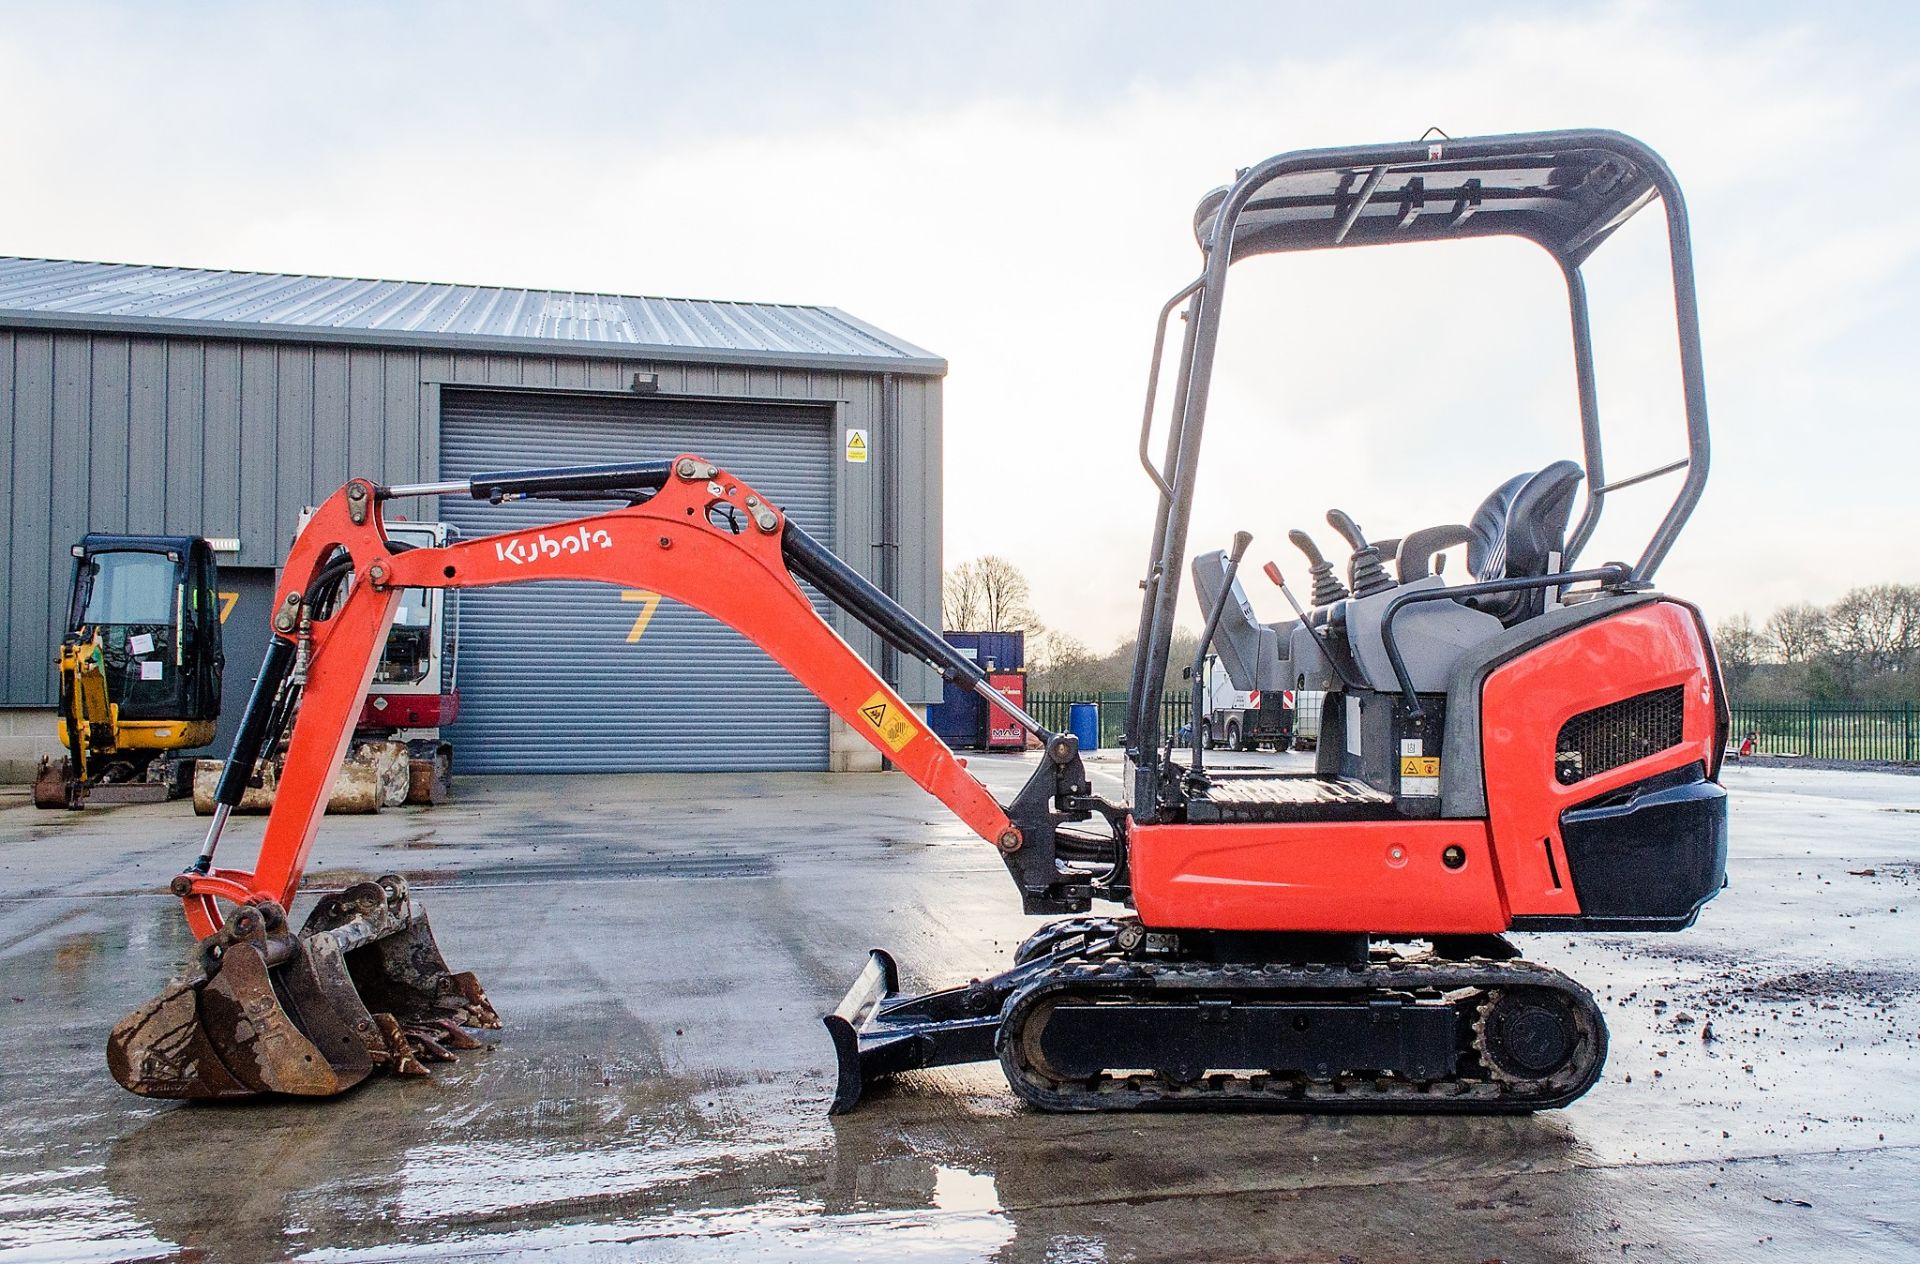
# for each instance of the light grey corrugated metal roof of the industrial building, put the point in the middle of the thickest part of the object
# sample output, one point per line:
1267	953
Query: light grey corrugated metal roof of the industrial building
122	297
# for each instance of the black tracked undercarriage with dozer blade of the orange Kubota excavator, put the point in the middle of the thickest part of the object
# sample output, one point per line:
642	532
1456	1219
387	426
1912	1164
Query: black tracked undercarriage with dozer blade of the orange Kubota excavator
1101	1015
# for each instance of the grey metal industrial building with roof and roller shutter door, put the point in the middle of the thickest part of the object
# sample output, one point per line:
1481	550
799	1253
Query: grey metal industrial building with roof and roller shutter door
220	404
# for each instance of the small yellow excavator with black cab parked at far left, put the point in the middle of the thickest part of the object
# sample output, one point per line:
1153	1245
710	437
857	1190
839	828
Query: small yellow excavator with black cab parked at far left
139	671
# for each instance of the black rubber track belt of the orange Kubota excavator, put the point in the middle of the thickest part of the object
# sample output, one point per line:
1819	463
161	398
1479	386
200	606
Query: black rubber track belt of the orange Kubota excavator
1474	1092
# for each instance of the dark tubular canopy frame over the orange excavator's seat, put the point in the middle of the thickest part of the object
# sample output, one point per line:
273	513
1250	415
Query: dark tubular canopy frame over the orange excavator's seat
1566	191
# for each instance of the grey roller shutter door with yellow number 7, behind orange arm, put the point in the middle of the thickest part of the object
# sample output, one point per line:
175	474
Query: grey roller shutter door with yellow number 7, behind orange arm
552	677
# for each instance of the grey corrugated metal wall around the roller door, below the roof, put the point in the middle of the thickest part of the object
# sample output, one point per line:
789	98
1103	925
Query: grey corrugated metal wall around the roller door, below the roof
233	437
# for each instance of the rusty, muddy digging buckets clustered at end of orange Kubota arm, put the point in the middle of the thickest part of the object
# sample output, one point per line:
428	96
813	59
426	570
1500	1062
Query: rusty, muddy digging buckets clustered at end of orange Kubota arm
360	988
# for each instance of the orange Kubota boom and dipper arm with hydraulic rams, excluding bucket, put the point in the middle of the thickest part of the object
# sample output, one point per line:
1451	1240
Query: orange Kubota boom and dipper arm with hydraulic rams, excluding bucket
702	537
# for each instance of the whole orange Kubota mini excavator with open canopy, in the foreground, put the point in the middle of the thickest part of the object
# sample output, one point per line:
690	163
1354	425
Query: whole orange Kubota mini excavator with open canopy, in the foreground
1529	748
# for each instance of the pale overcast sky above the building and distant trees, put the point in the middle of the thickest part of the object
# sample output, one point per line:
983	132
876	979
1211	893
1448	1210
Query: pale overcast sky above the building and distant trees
1013	187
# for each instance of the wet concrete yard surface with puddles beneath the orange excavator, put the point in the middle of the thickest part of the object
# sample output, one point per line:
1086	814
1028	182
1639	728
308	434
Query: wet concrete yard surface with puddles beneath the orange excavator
661	950
